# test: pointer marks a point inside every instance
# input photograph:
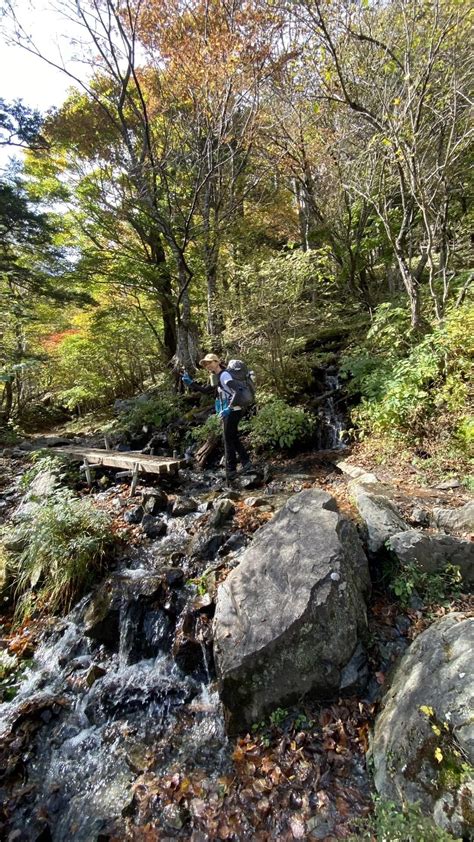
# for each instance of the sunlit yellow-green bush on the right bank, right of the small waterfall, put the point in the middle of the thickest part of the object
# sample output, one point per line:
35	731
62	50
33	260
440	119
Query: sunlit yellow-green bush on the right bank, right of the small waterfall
406	385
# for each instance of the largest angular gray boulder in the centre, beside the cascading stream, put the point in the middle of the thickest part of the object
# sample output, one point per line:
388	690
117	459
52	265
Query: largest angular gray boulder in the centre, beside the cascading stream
289	617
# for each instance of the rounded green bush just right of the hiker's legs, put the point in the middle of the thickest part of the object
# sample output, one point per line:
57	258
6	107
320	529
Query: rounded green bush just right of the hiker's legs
278	426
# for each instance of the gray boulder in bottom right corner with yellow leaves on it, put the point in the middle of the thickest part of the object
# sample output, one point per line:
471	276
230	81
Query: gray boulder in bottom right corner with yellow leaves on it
424	737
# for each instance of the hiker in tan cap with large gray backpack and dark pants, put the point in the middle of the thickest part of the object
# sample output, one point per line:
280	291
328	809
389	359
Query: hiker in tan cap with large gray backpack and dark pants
229	389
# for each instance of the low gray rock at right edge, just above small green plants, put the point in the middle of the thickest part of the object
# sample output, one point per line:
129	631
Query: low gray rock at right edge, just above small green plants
433	553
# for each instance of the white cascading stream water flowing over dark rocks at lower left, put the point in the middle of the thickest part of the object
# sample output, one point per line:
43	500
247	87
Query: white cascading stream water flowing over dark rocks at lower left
89	714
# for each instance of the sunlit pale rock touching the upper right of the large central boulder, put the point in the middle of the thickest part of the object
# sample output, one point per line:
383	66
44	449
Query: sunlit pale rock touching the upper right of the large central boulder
379	513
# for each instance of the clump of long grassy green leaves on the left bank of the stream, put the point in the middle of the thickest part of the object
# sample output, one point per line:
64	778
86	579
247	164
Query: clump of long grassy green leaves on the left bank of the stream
56	554
